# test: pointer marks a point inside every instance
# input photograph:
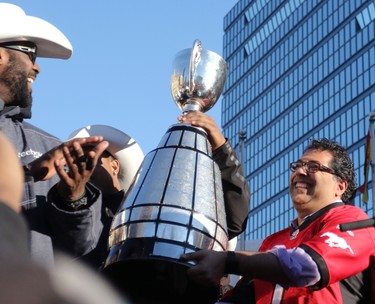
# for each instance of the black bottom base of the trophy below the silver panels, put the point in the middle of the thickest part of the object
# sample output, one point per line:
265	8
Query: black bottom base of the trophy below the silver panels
156	280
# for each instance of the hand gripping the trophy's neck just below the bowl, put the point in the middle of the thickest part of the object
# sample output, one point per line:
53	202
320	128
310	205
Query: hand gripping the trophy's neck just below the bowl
207	123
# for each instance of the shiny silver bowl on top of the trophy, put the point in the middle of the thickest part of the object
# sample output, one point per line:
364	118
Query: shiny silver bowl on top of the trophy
198	78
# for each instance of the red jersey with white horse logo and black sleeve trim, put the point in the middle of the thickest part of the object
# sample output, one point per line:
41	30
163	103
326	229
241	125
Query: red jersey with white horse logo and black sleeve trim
341	258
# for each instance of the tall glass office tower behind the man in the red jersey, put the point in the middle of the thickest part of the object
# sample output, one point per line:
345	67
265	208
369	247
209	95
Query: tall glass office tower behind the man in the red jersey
297	70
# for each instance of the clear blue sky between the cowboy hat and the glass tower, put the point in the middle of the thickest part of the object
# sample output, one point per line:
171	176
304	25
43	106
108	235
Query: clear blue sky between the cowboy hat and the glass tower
119	73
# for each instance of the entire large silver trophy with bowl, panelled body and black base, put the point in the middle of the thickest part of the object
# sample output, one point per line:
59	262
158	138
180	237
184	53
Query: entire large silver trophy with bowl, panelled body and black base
175	205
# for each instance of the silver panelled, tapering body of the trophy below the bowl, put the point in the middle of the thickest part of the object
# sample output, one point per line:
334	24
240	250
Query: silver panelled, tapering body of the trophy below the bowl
177	199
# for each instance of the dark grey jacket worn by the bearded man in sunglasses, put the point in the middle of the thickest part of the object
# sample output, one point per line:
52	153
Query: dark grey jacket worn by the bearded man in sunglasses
50	227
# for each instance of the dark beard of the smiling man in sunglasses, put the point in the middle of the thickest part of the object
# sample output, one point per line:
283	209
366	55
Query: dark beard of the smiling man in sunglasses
16	81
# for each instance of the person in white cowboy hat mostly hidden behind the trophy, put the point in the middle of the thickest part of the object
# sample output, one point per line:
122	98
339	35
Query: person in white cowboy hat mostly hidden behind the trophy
106	178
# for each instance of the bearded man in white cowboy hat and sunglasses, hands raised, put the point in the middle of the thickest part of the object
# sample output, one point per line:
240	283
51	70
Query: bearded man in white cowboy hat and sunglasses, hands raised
22	39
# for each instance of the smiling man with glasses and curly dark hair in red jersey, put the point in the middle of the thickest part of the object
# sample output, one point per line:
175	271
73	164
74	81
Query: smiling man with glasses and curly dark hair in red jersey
312	261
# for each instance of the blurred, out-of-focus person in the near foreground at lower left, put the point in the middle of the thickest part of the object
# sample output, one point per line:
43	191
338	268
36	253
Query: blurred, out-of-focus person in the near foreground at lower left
21	279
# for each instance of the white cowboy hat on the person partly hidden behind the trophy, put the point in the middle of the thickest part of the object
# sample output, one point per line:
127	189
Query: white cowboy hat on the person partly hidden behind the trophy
124	148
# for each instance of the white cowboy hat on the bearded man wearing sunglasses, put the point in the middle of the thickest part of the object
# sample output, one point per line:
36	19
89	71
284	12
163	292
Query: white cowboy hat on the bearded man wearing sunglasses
15	25
